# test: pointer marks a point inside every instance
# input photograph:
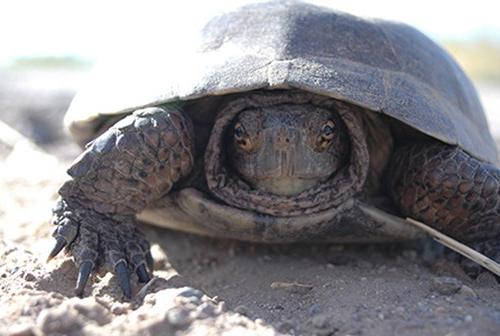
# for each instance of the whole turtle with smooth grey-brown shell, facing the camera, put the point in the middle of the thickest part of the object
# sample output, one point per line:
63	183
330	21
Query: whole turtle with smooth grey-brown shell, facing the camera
278	123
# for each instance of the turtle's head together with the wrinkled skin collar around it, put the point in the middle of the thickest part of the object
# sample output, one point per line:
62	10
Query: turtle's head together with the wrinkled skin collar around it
286	153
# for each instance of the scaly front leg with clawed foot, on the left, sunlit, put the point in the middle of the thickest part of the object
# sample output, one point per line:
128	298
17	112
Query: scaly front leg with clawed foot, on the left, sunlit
124	170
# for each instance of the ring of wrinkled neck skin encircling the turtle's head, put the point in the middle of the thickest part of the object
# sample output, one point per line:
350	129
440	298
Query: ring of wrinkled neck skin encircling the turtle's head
229	188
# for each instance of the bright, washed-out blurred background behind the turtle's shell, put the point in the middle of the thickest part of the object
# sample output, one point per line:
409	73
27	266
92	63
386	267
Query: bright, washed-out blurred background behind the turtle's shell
49	47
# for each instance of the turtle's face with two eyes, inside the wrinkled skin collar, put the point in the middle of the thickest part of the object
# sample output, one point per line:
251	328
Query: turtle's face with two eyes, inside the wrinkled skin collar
286	149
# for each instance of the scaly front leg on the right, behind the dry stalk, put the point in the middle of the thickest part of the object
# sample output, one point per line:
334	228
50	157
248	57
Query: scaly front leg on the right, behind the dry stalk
446	188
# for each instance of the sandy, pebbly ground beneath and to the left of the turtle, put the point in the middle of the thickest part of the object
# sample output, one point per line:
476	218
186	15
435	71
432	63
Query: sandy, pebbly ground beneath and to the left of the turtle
205	286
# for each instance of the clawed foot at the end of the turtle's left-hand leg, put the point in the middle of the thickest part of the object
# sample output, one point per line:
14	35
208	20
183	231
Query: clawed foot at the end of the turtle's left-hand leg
100	243
